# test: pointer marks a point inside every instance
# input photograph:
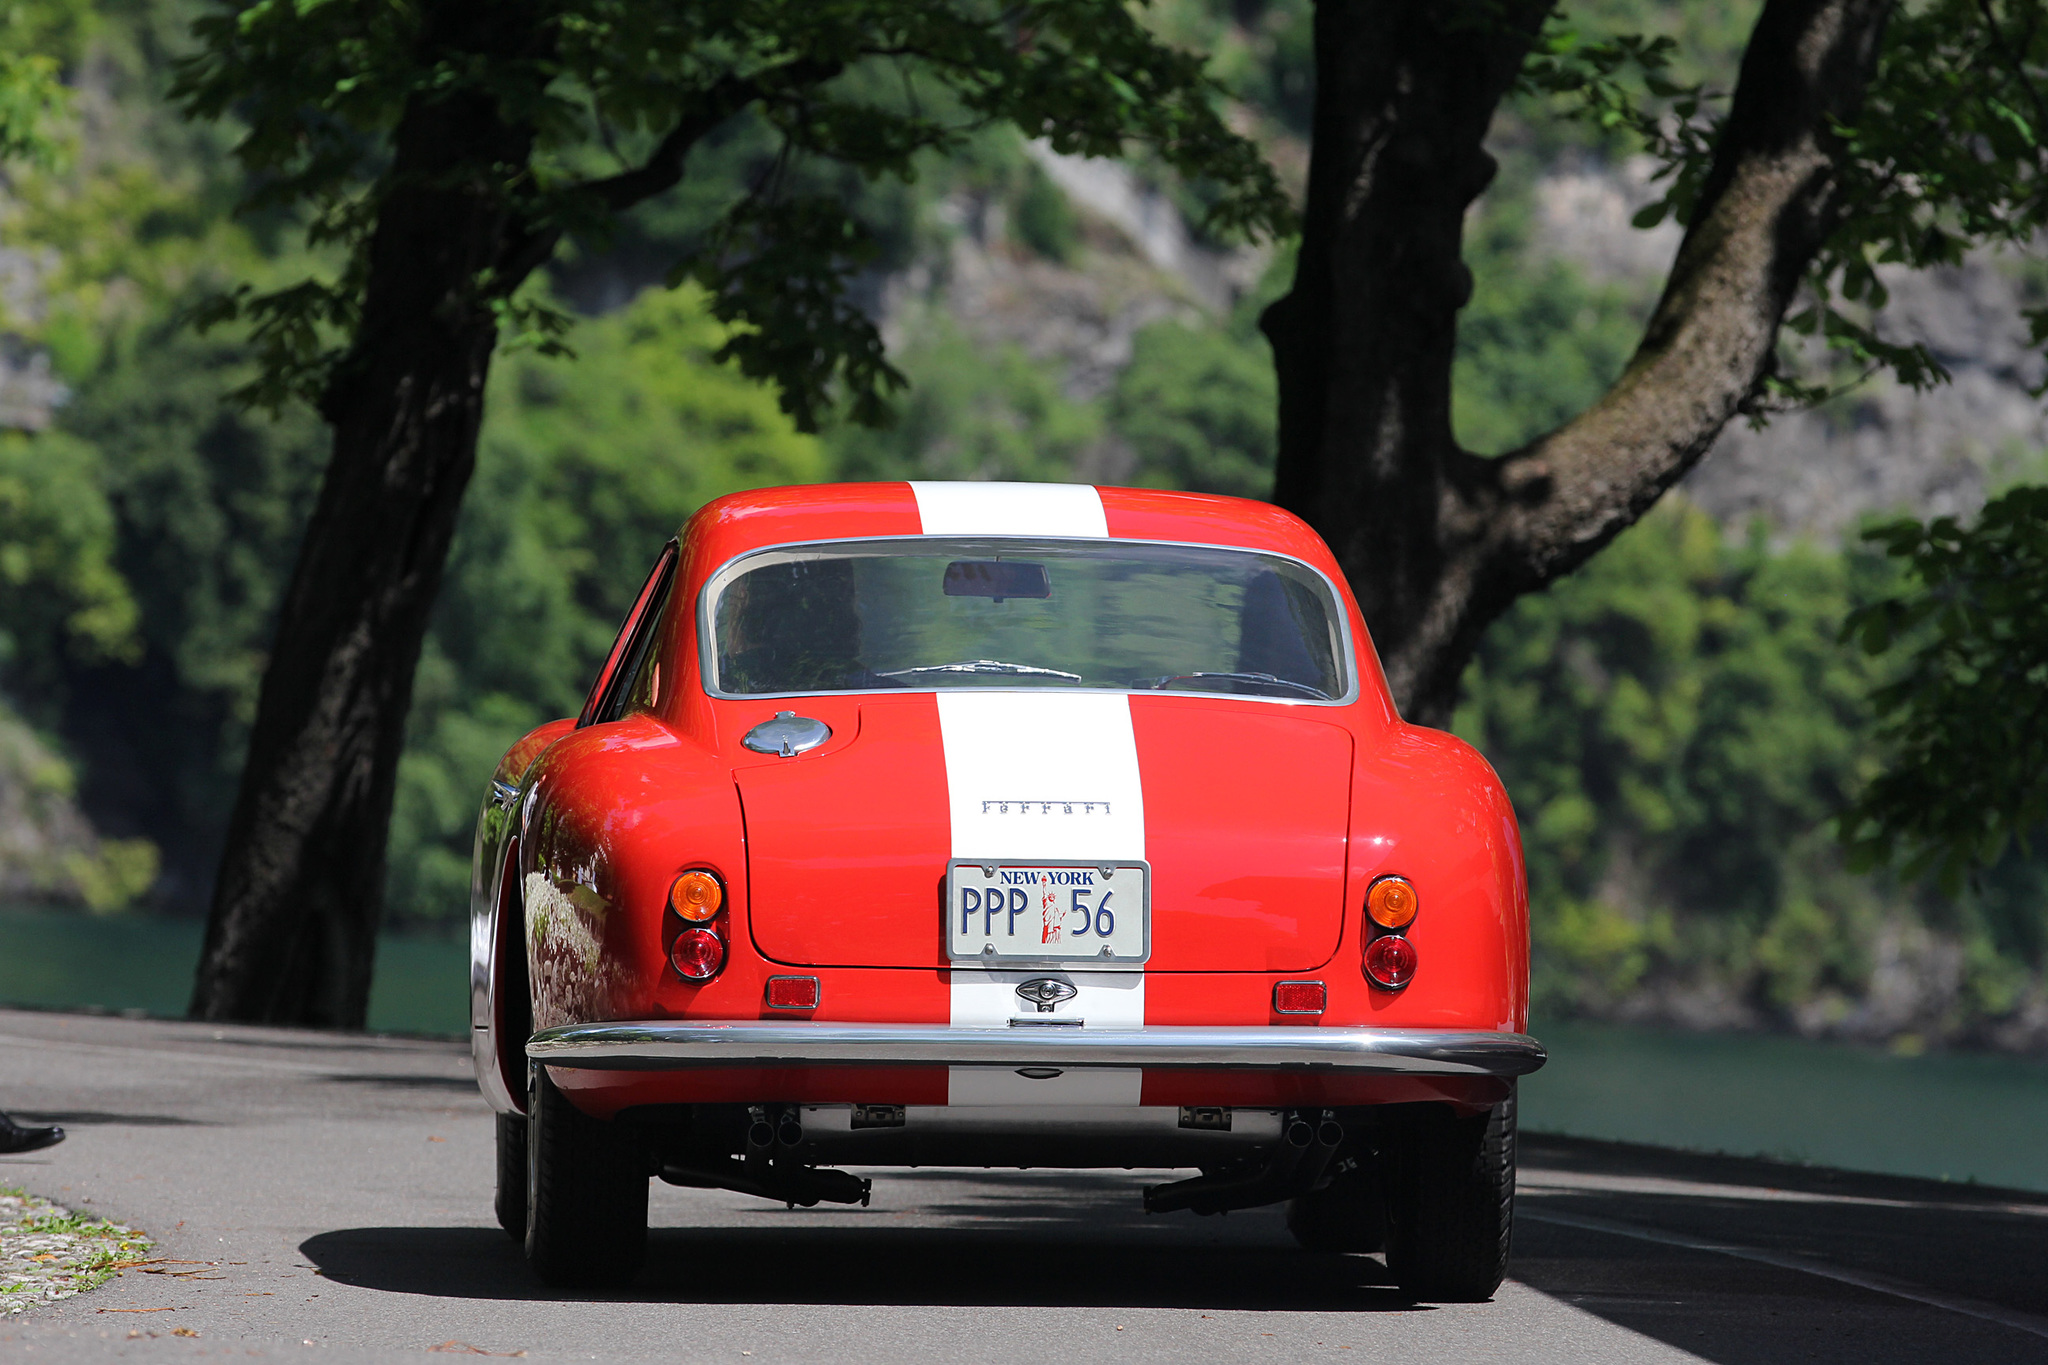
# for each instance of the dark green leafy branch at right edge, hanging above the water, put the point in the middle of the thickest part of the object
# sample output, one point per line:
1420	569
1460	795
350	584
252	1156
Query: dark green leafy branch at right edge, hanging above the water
1967	721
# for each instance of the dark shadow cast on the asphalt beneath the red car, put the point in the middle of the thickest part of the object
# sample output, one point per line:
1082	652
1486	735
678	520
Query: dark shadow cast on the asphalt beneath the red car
943	1268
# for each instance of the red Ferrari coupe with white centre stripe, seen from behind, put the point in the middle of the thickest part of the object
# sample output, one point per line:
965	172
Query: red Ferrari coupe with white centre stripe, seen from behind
1002	826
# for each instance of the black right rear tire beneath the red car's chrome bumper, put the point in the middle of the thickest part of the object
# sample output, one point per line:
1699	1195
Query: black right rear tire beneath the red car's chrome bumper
1451	1204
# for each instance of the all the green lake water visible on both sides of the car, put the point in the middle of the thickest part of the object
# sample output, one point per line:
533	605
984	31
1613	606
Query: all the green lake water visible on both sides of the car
1957	1116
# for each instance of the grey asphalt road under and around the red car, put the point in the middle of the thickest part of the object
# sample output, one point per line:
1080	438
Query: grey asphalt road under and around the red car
327	1198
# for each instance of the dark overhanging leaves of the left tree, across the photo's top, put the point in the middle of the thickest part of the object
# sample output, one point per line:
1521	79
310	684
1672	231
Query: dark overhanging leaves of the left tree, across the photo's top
323	91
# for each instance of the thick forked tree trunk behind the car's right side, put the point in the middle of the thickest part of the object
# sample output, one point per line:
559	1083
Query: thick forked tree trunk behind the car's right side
1439	541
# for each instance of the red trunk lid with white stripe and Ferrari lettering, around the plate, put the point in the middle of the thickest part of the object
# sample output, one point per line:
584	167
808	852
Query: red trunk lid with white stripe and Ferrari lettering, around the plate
1240	809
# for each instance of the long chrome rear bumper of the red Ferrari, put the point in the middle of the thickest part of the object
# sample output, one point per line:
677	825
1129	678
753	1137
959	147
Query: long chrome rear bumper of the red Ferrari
667	1045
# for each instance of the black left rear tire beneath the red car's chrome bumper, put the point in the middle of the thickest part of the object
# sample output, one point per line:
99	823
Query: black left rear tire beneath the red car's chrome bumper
587	1194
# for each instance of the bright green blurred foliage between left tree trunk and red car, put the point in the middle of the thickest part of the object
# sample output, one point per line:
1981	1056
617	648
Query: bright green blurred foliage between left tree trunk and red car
585	472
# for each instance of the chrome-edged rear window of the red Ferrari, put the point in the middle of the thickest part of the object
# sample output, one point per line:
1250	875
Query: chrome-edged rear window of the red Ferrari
980	613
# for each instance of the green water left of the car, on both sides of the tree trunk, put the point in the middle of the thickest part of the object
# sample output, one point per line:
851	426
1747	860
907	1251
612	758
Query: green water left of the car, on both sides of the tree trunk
144	965
